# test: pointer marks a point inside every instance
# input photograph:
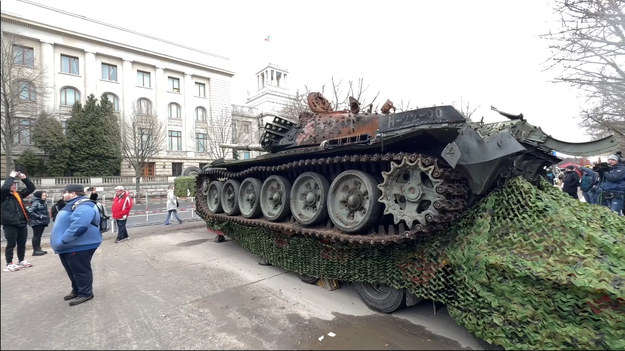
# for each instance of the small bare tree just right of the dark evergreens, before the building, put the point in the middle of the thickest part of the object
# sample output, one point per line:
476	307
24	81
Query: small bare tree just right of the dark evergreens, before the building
143	137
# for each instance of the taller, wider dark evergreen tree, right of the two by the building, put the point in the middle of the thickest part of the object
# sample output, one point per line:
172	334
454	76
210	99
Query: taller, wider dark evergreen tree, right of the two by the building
93	136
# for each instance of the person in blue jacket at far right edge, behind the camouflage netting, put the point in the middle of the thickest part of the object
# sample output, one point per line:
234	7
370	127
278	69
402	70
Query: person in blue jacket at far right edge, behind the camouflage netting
613	185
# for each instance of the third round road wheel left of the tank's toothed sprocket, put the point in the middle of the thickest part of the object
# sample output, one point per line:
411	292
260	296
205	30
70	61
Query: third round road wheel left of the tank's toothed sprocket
274	198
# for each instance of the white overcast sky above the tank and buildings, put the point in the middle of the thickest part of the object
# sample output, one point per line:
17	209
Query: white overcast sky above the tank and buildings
424	52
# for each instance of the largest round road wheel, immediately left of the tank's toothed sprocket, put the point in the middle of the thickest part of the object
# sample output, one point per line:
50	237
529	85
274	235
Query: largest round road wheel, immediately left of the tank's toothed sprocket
353	201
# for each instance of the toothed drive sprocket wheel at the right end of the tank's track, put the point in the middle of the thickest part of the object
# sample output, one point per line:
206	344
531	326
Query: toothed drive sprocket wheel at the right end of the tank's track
408	192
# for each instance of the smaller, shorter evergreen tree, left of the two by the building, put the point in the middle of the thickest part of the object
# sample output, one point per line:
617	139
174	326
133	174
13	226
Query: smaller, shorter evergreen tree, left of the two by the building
48	137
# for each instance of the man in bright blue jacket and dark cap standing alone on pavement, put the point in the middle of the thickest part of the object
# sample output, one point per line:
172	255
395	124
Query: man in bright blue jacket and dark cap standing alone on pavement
75	238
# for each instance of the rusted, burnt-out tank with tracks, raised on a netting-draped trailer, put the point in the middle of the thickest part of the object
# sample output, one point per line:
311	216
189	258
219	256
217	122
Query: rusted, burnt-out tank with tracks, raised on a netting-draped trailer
375	178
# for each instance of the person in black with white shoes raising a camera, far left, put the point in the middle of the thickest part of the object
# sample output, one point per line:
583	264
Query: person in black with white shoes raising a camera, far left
14	218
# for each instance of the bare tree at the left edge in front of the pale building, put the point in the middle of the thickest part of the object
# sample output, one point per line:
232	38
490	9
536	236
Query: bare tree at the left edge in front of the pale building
22	91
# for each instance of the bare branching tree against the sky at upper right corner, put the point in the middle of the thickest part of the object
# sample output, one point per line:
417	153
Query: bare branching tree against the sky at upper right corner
590	48
